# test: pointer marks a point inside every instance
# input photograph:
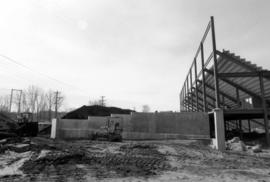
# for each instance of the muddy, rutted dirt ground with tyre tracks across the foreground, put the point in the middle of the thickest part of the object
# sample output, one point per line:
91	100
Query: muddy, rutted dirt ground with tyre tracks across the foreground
175	160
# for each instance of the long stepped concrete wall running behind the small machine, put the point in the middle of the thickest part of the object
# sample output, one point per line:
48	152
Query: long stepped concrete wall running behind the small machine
141	126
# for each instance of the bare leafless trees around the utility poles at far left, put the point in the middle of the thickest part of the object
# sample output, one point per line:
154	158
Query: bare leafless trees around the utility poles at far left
33	99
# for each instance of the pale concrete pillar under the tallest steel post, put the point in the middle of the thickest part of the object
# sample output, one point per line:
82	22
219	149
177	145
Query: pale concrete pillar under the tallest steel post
219	129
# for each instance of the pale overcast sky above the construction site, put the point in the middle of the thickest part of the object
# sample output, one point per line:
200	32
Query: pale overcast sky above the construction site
134	52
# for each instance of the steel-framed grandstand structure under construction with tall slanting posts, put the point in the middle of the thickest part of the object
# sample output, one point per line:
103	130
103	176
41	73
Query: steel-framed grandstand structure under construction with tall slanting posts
220	79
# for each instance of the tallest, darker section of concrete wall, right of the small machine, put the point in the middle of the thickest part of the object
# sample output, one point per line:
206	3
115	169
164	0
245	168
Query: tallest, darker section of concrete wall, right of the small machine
168	125
